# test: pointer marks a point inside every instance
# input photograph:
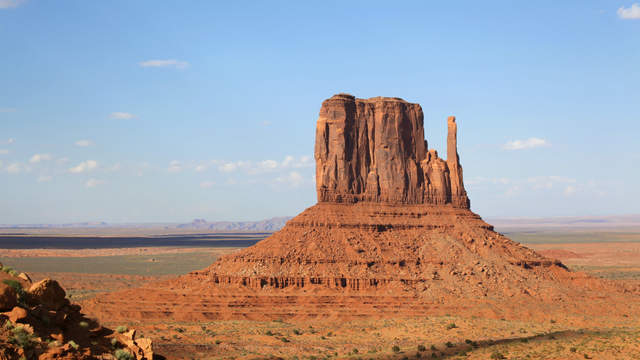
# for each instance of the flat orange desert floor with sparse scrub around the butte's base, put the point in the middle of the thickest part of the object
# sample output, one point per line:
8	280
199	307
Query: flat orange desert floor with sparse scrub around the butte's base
614	255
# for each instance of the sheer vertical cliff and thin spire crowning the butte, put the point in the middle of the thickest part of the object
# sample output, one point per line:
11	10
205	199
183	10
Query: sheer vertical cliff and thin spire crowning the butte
373	150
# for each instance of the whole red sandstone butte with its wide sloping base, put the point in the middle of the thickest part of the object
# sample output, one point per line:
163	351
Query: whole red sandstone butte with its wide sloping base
392	234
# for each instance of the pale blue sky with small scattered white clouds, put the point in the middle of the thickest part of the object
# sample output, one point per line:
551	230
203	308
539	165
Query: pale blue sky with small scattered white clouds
148	111
